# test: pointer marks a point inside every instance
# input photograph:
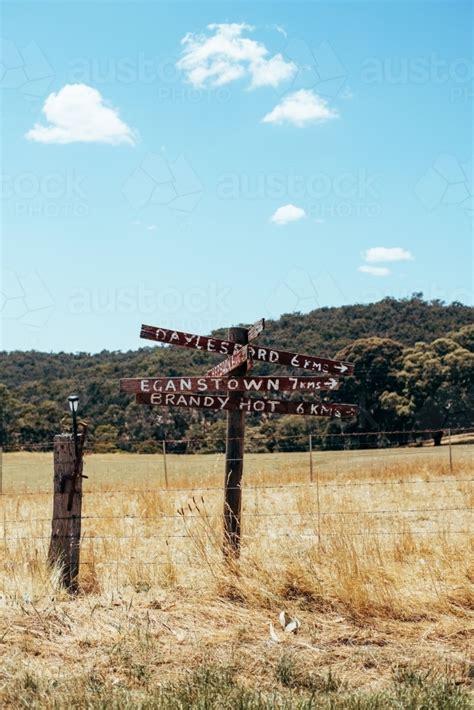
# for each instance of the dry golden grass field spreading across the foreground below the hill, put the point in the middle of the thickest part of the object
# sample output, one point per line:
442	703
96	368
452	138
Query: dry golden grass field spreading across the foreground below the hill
372	557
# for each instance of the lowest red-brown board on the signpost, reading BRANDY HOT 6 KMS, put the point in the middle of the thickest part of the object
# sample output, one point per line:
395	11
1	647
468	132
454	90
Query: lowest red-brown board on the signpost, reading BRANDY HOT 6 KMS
245	404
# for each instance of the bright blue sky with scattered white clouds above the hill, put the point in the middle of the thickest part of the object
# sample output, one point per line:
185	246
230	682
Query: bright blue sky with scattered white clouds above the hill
285	156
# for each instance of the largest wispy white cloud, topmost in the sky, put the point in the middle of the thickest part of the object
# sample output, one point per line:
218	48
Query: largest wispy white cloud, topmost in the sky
225	55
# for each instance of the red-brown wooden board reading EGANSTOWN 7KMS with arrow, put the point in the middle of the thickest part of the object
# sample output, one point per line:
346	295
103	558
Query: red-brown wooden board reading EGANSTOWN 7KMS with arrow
228	384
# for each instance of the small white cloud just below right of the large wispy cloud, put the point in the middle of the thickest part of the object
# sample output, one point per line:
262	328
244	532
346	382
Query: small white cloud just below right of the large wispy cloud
301	107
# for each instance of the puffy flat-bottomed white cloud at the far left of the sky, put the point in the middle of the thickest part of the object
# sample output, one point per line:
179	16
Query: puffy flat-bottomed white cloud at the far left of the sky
77	114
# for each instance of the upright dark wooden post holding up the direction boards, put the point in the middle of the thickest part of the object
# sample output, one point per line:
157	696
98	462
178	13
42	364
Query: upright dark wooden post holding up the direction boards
234	462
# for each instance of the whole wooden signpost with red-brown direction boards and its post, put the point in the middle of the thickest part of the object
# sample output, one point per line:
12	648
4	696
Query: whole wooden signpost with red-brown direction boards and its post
227	387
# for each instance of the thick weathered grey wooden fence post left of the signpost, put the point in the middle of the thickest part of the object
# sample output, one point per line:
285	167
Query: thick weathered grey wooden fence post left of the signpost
64	549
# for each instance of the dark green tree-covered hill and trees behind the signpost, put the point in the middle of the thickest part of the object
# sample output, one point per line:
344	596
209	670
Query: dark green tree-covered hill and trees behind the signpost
414	370
